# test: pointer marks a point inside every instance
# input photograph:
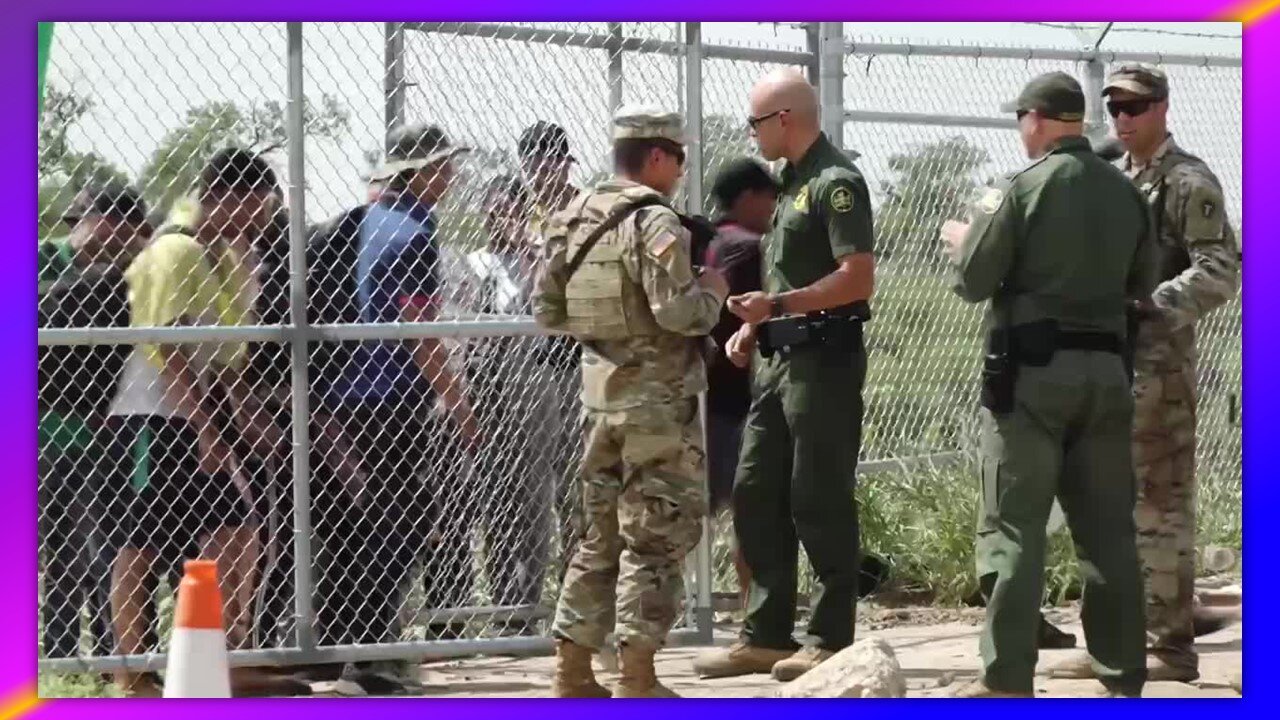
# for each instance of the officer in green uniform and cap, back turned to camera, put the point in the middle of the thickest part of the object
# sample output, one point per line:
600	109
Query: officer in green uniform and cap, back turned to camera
1059	248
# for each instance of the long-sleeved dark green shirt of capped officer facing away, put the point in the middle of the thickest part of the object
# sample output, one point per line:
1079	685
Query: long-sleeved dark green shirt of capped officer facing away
1066	239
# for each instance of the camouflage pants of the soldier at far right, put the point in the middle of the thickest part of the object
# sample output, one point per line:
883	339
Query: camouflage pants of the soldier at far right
1164	450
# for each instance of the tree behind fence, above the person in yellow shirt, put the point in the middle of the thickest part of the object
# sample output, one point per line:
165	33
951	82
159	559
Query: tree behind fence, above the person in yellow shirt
208	129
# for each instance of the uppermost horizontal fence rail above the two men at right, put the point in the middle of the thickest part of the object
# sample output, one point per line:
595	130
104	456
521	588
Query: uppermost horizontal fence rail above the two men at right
995	52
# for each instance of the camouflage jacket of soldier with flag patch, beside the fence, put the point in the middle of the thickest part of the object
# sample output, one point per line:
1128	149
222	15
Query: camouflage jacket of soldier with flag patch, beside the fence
661	367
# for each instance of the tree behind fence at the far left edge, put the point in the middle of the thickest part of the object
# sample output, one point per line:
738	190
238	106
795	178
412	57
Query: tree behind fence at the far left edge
62	171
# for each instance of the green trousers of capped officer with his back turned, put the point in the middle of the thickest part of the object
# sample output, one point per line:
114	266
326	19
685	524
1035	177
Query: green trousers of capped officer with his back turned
1068	436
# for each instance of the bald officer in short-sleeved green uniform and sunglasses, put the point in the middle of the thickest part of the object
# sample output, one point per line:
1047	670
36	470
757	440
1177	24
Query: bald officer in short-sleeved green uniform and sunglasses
797	473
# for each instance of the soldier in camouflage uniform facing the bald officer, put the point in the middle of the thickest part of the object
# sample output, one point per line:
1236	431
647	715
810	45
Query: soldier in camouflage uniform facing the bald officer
633	300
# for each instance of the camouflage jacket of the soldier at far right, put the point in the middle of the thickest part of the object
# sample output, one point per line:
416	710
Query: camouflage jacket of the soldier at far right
1200	257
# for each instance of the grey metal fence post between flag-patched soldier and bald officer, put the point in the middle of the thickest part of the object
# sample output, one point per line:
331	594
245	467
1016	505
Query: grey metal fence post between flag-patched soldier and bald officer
703	616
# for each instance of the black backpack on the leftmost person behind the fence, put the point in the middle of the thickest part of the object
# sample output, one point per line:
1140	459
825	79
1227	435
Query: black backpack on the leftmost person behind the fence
83	380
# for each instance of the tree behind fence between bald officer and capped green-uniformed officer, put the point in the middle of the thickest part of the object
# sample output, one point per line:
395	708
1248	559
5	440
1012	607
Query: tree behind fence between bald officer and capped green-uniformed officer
931	185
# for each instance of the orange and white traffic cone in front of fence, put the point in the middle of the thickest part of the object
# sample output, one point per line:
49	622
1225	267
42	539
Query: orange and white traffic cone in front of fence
198	653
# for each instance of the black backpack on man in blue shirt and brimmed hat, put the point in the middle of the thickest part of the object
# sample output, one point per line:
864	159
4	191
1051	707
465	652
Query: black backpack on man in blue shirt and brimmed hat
333	249
